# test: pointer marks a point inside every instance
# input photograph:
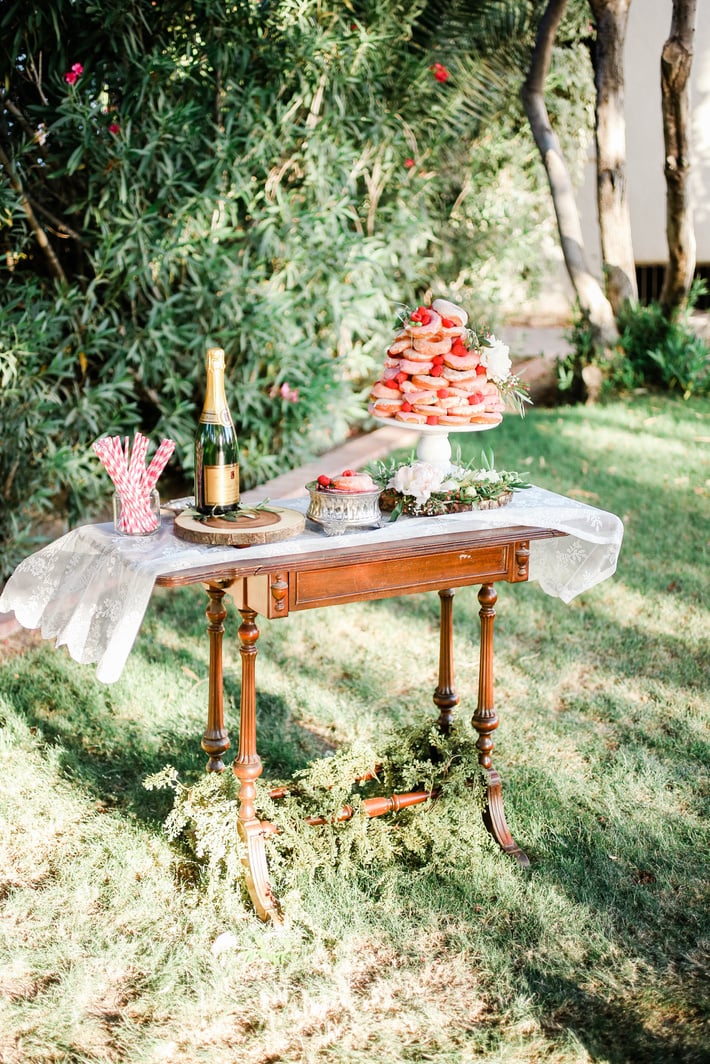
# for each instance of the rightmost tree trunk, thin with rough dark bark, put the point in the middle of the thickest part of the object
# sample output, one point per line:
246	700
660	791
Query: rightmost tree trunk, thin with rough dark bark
676	61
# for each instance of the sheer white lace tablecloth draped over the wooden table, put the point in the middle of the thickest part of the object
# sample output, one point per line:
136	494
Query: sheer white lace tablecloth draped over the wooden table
90	589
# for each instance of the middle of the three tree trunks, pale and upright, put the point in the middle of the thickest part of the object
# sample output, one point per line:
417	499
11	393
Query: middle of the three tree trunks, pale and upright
612	18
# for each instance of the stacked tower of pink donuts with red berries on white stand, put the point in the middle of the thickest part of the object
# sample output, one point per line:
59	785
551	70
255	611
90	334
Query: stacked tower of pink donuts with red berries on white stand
436	374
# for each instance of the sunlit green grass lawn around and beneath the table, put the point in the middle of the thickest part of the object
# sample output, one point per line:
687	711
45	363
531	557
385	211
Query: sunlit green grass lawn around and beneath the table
117	945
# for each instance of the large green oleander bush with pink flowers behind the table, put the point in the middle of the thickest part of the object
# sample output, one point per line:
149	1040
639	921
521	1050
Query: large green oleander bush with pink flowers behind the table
272	178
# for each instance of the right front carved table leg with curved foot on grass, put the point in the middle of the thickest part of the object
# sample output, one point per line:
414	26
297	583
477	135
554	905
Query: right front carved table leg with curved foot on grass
486	721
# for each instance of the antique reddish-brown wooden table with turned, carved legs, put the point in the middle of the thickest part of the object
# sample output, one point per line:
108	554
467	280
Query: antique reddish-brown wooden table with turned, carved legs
285	585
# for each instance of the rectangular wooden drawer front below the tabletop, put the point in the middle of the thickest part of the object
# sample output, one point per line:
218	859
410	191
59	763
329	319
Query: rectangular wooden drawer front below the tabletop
351	584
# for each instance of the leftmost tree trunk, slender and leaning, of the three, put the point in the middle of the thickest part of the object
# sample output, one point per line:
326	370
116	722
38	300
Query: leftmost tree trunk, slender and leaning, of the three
592	301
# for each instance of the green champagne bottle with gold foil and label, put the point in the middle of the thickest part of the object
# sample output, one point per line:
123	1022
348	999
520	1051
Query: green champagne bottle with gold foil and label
217	447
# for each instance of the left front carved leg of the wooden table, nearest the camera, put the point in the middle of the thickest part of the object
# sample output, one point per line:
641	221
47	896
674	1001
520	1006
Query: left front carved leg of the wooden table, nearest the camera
247	768
